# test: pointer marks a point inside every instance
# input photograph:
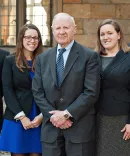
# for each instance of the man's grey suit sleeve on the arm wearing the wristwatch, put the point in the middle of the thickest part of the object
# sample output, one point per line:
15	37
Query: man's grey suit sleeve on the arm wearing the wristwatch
88	97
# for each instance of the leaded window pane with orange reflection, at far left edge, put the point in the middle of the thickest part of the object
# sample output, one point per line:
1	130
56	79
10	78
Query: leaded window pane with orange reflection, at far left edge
8	22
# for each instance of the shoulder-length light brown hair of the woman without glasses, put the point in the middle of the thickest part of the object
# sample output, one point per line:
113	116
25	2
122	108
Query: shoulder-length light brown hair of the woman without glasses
121	42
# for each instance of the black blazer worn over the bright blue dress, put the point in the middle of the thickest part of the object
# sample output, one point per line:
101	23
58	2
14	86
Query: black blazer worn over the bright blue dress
17	89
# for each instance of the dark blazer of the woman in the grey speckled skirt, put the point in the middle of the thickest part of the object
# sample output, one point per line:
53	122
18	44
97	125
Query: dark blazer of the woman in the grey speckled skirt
114	97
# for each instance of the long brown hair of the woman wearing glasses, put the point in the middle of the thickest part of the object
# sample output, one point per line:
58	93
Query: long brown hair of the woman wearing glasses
20	60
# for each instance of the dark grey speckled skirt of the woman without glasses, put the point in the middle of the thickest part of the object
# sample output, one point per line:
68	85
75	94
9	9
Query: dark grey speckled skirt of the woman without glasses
109	138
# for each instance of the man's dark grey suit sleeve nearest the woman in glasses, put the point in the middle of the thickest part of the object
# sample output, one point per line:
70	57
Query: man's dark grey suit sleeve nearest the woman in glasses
38	91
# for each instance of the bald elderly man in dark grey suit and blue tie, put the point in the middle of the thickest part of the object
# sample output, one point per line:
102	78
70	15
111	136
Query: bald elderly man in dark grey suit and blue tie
66	87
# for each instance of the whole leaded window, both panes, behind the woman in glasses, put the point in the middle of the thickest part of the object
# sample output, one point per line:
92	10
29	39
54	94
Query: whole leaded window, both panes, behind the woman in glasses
37	12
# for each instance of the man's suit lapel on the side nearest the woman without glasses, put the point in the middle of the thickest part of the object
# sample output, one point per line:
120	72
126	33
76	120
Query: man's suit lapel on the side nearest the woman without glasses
73	55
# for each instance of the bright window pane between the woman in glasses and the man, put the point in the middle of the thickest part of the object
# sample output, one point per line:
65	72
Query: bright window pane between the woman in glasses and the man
38	13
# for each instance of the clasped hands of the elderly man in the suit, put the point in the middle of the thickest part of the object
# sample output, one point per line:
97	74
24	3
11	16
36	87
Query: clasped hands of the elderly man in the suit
58	119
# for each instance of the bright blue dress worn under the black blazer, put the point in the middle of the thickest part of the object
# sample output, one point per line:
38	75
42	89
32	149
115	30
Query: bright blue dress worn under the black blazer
15	139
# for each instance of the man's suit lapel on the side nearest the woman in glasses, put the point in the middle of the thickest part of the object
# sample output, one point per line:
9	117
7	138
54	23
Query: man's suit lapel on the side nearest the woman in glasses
53	64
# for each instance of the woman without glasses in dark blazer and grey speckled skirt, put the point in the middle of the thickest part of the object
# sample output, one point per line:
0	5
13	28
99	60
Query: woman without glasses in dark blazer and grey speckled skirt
113	106
